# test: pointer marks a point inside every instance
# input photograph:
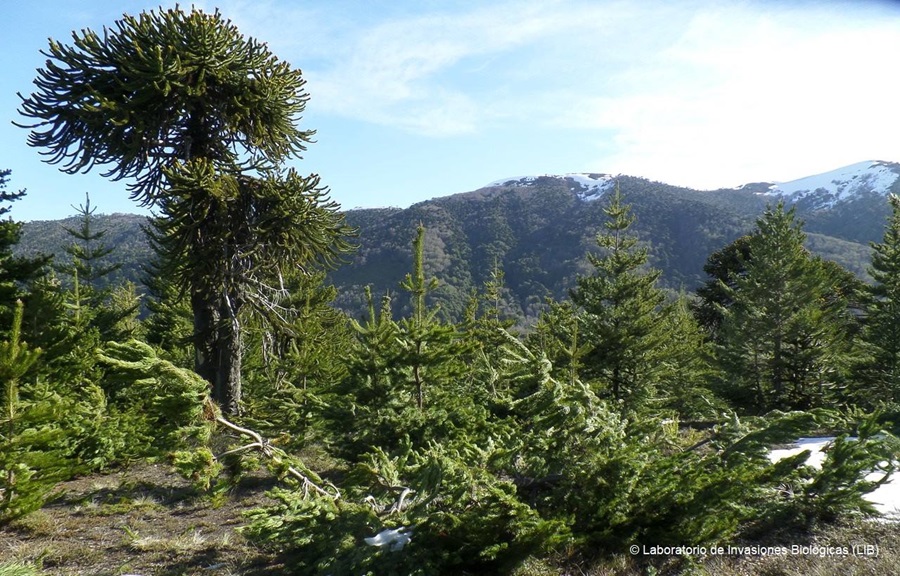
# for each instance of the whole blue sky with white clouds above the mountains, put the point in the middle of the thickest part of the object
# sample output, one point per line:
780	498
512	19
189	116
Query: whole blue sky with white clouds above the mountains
418	99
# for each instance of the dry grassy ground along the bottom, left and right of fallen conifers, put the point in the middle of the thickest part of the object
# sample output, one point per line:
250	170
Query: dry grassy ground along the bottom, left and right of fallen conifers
149	521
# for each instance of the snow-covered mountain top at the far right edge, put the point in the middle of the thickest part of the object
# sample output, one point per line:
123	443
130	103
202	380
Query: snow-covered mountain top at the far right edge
830	188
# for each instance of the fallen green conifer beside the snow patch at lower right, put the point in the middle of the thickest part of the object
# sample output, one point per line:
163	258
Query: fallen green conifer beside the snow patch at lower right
614	483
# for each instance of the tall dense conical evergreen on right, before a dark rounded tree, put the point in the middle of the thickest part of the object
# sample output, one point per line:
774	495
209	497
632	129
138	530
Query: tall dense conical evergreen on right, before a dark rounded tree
785	341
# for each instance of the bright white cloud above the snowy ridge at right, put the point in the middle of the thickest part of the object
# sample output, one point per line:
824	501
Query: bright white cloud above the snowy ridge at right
746	93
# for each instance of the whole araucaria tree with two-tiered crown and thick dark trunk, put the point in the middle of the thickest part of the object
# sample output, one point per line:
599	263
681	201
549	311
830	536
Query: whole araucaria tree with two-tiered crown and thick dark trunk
199	119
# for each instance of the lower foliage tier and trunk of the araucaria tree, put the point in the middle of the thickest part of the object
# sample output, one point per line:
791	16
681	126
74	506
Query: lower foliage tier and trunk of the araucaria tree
254	232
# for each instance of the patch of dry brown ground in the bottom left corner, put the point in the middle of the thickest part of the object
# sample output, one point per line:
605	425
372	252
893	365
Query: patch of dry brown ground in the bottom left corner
146	521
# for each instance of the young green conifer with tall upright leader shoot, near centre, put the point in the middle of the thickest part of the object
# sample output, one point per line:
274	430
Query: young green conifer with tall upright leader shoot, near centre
407	378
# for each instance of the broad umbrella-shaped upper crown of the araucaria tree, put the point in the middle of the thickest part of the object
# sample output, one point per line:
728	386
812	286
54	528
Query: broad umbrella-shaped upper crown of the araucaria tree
164	87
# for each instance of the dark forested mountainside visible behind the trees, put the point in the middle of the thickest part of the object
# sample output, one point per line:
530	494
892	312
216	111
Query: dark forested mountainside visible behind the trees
538	236
